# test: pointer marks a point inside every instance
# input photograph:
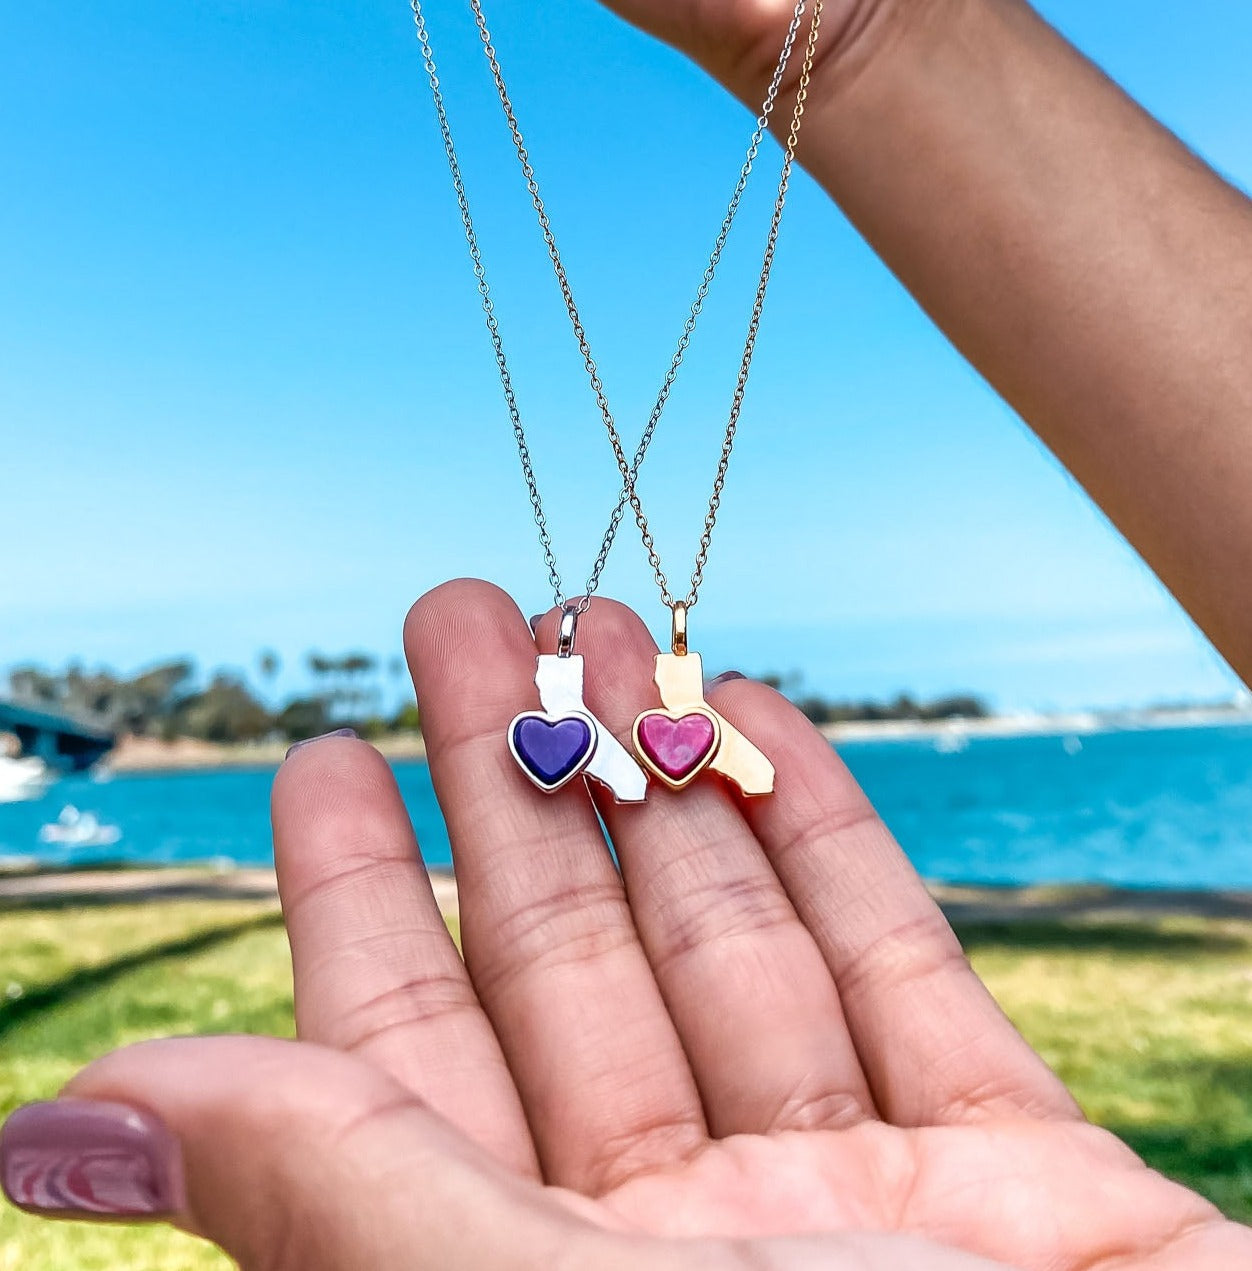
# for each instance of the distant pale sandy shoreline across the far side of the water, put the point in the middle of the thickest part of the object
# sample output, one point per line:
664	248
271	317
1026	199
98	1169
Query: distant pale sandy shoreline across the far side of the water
137	756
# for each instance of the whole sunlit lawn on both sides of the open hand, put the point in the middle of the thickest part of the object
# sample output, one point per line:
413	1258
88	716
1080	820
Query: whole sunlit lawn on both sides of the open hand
1147	1021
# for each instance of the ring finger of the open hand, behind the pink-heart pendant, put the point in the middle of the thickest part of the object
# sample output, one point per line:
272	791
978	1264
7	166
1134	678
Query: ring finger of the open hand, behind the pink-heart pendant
744	982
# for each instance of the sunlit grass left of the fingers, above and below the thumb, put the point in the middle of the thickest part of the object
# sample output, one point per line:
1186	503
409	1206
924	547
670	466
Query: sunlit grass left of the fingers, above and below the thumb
97	978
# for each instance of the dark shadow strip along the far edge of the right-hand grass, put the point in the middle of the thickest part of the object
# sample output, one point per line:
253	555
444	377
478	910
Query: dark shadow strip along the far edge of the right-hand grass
1026	936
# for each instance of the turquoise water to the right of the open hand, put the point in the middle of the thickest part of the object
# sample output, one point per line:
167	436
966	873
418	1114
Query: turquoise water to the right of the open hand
1155	809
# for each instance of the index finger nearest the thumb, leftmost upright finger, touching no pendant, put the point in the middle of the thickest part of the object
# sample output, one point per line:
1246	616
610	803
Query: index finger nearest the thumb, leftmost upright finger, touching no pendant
377	973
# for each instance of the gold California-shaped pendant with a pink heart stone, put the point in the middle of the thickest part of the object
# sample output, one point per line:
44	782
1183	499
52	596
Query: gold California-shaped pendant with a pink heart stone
688	737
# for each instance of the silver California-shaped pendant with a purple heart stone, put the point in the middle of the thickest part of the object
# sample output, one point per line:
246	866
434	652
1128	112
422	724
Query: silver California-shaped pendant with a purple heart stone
565	740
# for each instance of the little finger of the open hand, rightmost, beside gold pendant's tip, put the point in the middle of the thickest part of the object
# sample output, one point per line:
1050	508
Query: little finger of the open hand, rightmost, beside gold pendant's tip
932	1040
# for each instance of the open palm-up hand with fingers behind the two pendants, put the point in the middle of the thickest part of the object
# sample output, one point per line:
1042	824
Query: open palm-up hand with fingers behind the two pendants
761	1047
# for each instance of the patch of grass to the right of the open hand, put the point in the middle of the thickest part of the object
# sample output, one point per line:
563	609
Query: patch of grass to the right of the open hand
1148	1026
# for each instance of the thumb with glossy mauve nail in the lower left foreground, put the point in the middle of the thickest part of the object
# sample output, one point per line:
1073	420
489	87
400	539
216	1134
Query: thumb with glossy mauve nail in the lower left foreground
285	1155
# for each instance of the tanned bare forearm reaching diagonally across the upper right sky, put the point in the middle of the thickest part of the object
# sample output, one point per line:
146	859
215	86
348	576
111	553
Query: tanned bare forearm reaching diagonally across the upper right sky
1094	270
